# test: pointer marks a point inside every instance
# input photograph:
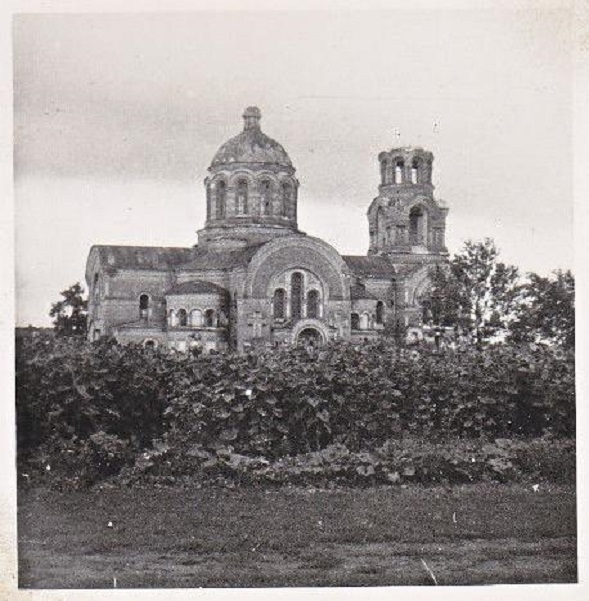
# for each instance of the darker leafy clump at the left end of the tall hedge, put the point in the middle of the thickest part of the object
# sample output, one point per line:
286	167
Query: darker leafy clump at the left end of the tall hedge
85	409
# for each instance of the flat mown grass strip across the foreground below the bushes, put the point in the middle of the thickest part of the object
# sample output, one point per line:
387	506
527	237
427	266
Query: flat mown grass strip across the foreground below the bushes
248	537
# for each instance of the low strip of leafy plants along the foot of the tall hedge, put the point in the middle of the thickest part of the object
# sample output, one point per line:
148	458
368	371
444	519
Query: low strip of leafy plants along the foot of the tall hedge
396	462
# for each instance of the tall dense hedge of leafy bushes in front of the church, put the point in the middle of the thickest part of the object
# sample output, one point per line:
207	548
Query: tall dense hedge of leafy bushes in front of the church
87	410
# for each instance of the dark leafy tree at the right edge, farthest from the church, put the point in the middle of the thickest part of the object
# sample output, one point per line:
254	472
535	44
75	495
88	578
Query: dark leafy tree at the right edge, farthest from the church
548	310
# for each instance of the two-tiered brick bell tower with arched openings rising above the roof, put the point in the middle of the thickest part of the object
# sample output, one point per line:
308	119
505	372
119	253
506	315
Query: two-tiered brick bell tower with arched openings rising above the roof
405	220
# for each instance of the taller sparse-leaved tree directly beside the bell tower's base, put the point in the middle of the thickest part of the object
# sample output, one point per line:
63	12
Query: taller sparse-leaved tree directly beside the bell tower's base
475	292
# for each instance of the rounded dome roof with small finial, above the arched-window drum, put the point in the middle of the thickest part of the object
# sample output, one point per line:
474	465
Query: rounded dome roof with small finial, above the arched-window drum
251	146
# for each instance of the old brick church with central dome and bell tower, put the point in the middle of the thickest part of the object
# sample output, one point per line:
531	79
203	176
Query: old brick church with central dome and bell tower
255	280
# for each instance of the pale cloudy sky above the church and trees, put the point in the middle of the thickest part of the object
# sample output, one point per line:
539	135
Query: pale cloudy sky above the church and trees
117	117
